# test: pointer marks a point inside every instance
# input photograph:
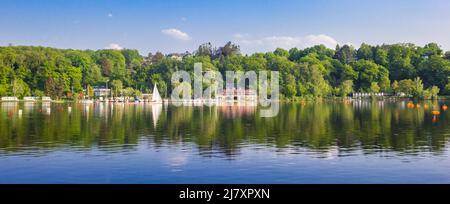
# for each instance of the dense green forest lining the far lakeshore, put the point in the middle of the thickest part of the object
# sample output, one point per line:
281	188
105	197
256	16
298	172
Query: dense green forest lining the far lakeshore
317	71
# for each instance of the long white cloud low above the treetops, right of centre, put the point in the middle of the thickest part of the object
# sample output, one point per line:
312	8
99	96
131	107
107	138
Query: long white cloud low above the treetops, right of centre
286	42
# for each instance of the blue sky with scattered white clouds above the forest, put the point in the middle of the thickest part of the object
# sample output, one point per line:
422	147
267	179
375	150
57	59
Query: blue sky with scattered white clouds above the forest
257	25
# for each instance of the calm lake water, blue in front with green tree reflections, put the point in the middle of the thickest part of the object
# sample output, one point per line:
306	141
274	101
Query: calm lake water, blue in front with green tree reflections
323	142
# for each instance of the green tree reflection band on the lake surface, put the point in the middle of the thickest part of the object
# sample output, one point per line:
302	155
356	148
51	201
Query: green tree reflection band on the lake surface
372	126
